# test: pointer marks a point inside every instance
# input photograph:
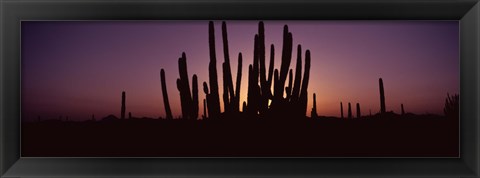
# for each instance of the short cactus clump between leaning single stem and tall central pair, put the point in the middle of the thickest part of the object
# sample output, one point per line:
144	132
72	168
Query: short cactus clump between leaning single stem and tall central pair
189	101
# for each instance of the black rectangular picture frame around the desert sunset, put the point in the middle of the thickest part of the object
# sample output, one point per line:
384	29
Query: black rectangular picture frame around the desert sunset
14	11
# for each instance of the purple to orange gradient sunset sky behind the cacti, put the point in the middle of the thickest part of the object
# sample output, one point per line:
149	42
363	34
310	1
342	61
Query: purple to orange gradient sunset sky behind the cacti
80	68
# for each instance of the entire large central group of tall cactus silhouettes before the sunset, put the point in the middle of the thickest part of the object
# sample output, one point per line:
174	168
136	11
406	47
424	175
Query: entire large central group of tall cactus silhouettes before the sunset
259	82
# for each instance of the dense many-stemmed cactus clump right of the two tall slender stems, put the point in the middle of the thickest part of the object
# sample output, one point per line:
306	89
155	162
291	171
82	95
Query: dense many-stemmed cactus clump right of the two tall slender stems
294	103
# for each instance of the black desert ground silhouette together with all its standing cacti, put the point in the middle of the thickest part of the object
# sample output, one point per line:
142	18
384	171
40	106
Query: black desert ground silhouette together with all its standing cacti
271	123
